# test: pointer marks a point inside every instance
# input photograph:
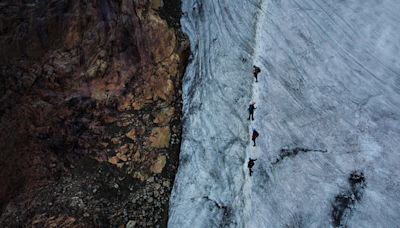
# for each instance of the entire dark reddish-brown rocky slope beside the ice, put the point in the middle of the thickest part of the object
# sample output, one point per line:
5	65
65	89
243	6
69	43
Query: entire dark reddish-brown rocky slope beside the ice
89	111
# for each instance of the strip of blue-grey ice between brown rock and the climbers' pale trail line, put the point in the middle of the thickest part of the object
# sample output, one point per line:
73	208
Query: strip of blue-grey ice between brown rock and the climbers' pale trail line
208	191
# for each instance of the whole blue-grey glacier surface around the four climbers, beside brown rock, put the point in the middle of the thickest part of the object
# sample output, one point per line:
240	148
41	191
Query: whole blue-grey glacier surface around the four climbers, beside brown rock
328	110
